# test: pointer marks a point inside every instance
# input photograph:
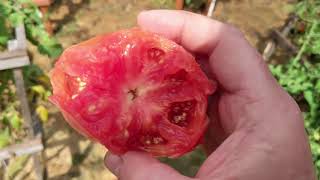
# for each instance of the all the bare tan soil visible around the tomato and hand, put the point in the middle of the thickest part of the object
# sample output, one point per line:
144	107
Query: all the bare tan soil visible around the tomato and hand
67	154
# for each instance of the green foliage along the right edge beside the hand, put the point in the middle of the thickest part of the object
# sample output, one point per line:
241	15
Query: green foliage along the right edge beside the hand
300	76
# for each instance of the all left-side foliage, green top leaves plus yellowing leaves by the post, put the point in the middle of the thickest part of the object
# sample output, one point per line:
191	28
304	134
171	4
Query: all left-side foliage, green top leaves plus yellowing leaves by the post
13	13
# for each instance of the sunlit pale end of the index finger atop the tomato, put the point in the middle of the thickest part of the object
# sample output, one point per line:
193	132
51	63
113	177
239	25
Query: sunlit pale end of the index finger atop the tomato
190	30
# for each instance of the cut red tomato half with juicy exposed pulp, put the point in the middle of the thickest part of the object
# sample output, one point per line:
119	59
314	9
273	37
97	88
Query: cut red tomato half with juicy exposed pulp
133	90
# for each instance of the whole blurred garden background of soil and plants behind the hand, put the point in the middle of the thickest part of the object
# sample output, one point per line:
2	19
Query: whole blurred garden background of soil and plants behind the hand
287	32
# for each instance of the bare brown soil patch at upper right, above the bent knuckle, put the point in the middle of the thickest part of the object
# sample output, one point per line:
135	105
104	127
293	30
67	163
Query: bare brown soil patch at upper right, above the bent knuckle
255	18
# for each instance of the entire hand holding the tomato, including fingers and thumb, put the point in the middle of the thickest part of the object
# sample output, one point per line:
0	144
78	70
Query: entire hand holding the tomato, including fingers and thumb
256	129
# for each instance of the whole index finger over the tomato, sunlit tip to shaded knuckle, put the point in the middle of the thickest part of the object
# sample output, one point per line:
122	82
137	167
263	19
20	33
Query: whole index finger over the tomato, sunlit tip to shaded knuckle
235	64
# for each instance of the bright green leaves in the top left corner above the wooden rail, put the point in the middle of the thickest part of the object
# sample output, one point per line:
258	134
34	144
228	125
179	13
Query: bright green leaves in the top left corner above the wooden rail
15	12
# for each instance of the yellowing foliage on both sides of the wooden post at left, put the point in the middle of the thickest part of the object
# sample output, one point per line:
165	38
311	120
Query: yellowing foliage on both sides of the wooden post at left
11	122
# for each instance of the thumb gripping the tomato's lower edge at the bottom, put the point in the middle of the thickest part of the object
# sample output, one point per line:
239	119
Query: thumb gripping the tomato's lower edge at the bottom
137	166
